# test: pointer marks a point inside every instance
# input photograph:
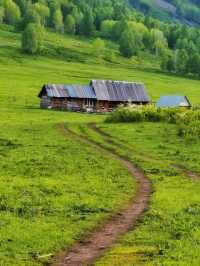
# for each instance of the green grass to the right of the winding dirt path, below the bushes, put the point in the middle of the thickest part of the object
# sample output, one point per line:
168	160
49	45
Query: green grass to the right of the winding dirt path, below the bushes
169	232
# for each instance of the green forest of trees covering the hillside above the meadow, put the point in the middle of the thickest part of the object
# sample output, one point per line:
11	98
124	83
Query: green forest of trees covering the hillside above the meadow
176	46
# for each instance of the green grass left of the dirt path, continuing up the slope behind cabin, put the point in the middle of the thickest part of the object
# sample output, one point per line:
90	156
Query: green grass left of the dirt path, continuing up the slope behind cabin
52	188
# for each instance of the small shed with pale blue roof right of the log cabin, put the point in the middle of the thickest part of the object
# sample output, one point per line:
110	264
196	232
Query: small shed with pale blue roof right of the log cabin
173	101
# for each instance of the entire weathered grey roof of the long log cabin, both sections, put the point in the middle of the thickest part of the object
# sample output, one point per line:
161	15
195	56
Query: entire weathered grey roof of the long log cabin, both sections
106	90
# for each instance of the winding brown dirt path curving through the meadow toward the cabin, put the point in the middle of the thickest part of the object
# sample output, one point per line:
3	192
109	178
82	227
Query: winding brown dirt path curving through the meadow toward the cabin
86	252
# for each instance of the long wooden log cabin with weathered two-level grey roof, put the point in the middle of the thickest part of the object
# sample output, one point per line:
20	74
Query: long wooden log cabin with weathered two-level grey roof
98	96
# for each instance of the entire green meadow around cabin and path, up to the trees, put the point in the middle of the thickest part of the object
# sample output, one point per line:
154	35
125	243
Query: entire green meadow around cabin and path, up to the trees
54	189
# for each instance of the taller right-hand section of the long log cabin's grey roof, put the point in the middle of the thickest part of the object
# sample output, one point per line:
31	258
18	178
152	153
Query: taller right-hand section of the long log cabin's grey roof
122	91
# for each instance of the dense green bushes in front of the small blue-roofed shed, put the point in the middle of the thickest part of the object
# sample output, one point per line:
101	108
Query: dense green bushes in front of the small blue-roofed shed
187	121
